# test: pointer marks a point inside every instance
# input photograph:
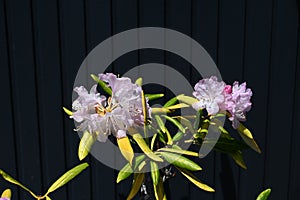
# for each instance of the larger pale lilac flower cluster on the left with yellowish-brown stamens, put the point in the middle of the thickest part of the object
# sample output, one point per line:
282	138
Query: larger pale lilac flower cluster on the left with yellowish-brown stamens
114	115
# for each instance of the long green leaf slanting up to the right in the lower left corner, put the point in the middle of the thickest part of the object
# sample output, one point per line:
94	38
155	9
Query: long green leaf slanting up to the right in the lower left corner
66	177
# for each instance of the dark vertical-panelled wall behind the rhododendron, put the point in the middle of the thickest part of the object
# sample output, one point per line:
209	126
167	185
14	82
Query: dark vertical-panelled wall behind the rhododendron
43	42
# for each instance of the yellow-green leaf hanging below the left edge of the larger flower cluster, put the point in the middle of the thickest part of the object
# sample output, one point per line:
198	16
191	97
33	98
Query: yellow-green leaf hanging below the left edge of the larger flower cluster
85	145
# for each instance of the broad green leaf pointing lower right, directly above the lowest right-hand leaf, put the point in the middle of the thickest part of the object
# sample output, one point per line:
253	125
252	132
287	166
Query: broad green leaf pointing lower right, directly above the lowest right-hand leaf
180	161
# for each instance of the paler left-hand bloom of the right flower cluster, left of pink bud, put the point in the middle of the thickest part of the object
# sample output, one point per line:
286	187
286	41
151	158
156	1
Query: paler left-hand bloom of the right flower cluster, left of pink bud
209	92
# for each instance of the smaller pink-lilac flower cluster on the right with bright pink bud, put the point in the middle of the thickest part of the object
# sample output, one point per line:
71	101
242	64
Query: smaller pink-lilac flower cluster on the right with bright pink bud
215	96
